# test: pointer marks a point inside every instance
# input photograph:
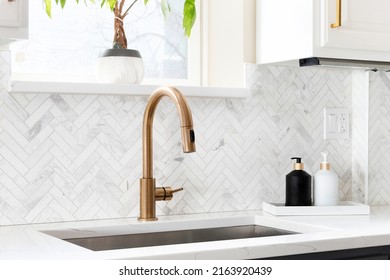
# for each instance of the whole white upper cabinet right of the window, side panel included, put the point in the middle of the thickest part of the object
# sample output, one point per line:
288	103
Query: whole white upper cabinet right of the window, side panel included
349	29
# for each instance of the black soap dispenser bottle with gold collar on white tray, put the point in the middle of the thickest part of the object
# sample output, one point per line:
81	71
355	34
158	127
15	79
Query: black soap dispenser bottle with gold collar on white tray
298	186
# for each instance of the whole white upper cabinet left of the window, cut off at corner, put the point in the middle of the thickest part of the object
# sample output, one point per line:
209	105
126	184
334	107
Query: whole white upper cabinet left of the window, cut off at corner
13	19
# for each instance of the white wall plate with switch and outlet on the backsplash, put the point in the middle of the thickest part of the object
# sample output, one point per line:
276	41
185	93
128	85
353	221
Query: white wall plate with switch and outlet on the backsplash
336	123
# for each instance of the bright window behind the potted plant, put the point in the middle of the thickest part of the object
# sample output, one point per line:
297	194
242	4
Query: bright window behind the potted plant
65	47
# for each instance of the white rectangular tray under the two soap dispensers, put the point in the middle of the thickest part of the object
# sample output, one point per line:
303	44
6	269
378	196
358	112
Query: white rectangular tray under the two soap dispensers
343	208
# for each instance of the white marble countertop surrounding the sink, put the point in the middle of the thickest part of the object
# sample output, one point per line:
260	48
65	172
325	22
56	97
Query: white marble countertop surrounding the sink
317	234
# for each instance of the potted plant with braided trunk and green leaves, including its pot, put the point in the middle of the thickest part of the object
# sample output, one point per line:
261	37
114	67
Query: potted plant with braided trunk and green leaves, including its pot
120	64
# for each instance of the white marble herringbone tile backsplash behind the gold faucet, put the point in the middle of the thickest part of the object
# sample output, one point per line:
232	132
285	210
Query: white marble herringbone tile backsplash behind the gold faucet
78	157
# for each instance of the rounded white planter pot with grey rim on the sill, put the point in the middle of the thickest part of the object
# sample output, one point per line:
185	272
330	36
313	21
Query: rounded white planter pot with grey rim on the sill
123	66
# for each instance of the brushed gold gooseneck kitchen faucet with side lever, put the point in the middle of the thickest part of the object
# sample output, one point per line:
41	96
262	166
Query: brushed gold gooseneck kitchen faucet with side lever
149	194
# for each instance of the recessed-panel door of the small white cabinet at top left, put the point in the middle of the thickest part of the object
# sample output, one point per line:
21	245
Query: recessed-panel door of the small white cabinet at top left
10	13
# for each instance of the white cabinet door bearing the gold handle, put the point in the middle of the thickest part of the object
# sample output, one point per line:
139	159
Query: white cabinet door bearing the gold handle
365	25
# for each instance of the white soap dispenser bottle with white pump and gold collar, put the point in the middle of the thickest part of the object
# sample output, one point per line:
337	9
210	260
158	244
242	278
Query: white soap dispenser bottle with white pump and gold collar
325	192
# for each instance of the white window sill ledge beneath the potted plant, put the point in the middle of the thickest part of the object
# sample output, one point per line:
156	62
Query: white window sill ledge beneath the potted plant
35	87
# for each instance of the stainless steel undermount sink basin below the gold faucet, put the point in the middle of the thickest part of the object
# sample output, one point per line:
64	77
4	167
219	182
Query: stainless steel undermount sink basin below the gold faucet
169	237
